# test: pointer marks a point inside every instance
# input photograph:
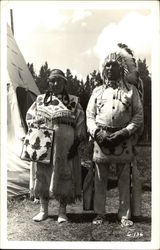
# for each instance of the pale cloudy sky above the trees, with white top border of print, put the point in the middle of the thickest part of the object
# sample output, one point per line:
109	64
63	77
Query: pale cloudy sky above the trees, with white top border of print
78	35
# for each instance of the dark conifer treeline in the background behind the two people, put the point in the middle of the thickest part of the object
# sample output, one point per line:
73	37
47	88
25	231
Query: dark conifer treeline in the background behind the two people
84	89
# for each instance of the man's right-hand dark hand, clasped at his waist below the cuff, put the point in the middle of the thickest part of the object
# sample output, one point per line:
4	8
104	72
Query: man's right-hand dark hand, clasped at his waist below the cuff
119	136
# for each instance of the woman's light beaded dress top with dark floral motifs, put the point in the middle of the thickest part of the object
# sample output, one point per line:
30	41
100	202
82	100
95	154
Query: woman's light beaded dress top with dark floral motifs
57	112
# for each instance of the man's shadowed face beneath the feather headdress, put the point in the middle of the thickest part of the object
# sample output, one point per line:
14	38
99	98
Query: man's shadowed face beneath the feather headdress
112	71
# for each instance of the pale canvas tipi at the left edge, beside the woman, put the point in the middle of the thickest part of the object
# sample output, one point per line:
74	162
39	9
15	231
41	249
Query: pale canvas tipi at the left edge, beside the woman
21	92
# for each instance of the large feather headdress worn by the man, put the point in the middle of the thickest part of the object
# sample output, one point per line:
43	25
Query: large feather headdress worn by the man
125	58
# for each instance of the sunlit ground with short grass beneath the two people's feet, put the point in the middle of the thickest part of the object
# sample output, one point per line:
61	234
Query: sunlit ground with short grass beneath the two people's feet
21	227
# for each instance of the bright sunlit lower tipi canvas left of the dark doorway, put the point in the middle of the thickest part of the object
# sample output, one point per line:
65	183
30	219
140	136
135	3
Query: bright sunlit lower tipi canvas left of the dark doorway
18	170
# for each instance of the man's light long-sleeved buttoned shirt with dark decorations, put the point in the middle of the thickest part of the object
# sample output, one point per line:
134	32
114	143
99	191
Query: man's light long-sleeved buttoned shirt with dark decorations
118	107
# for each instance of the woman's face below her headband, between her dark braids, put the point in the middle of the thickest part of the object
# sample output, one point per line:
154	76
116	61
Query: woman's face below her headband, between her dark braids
56	85
